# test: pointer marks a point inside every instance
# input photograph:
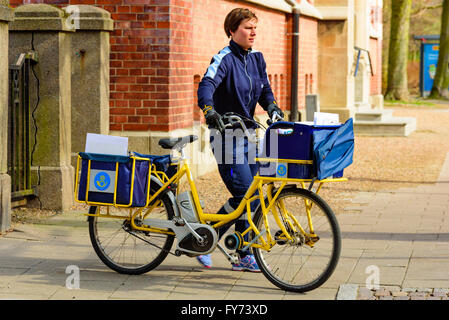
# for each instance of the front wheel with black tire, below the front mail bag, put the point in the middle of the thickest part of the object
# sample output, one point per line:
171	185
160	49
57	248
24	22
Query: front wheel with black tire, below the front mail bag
330	238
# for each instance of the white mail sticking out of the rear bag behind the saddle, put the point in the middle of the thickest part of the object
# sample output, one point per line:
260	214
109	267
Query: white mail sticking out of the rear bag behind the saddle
104	144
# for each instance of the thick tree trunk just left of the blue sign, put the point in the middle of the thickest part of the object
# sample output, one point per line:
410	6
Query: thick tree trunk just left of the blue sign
397	85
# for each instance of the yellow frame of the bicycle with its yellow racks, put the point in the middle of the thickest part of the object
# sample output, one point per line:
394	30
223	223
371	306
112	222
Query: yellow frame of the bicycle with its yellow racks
255	192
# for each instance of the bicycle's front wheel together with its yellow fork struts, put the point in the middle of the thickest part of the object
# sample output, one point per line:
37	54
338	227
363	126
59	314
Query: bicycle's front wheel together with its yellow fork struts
308	259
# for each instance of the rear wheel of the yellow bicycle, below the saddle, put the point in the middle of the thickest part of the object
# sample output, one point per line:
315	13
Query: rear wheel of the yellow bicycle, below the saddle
120	237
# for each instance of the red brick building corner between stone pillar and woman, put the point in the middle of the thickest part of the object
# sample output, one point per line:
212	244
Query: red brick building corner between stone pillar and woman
151	71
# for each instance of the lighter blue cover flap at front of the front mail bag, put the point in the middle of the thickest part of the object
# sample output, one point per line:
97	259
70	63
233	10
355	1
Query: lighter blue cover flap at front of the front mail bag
333	150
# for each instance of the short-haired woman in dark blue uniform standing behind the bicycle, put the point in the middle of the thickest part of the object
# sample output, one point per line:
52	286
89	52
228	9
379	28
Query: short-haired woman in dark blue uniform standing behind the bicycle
236	81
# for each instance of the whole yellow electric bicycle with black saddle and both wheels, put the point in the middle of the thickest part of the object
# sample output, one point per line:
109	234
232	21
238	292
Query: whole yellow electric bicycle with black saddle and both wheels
294	234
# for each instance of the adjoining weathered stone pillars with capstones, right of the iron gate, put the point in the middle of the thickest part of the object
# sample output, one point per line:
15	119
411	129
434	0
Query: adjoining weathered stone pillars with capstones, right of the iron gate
72	78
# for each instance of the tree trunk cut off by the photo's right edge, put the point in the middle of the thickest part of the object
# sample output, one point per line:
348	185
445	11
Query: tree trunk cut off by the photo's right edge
441	81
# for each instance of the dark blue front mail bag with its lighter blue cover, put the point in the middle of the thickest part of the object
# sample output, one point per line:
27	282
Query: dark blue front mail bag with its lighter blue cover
301	151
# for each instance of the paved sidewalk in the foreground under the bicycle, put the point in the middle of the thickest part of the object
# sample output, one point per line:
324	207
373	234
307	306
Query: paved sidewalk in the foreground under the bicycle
398	240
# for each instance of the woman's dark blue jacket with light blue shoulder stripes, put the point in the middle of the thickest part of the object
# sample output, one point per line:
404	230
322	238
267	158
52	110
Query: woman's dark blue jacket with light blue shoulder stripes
235	81
